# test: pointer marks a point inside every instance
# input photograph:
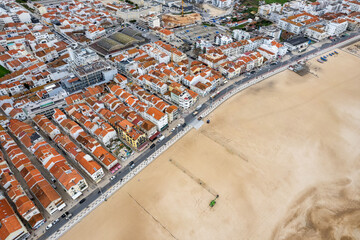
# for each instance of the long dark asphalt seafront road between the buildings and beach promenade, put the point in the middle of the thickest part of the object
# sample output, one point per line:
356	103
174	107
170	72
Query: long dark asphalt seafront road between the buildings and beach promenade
94	195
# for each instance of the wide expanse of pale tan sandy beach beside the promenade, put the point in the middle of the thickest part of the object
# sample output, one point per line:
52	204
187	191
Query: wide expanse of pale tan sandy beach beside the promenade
283	156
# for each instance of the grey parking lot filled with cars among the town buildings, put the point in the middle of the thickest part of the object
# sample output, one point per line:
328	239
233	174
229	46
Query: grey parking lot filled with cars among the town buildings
193	33
